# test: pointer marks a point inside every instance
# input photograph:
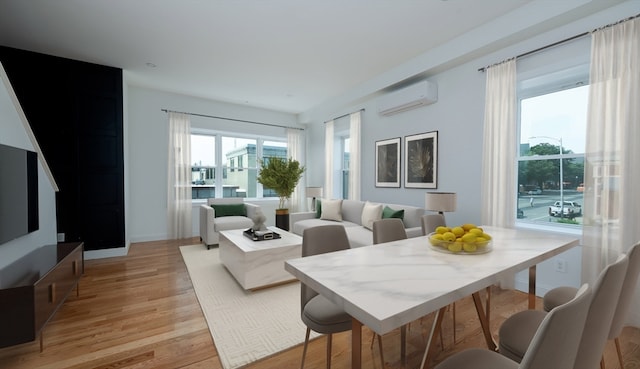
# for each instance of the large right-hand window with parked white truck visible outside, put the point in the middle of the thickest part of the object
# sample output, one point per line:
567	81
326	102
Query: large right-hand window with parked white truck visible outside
551	153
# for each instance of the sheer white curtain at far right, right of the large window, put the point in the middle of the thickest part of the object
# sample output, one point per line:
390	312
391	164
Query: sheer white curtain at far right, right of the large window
612	171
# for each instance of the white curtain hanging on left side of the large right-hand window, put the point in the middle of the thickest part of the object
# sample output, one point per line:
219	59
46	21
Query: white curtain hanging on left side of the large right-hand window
499	147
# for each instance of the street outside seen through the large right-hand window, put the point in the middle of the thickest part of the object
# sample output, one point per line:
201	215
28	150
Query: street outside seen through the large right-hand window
539	211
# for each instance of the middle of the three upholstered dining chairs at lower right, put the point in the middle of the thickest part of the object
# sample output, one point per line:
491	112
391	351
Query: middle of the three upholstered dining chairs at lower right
519	329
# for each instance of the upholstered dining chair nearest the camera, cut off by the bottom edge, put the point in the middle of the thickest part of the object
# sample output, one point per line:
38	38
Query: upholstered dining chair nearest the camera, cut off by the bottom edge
554	344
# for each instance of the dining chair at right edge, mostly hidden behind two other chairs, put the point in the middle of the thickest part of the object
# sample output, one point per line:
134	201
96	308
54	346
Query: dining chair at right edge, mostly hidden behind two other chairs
559	295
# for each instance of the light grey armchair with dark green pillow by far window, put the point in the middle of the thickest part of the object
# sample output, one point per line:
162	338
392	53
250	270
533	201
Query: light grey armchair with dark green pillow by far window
210	225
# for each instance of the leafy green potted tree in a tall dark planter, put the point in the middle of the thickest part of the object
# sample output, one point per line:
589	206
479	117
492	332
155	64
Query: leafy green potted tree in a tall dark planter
282	175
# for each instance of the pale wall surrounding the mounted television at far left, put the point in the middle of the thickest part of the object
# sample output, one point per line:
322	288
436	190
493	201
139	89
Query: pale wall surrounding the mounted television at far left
12	133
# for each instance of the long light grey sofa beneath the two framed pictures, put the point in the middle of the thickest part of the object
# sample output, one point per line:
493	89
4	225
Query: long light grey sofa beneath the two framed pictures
351	212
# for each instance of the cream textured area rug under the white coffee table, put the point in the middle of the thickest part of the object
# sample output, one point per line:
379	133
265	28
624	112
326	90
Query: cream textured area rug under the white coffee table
245	326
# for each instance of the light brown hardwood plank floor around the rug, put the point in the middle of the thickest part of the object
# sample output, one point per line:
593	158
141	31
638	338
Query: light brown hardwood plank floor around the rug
140	311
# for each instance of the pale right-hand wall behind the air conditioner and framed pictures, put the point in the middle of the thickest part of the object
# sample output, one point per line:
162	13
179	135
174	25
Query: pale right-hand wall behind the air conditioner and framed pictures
458	118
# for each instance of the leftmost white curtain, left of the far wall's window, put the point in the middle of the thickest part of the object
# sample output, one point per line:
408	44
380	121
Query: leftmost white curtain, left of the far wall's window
179	177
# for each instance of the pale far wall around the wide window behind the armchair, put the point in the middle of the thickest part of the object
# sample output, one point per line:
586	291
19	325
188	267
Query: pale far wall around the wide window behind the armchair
146	157
